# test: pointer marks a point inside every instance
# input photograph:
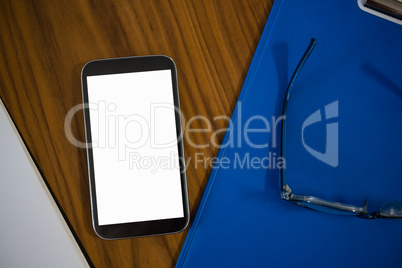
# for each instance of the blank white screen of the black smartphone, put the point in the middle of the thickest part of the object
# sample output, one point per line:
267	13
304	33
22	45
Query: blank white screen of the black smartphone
135	152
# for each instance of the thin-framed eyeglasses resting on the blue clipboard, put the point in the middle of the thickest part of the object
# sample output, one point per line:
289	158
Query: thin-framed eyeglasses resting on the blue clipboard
390	210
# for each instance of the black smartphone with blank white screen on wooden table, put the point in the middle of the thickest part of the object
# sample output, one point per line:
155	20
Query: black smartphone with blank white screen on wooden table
134	147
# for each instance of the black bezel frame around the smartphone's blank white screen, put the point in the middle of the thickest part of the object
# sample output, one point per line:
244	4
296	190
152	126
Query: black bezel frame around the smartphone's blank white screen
128	65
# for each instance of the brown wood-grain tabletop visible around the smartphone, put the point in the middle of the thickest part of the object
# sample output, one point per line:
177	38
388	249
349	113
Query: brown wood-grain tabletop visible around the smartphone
44	45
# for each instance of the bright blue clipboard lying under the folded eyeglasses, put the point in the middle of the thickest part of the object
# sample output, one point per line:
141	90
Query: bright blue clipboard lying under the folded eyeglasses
241	220
